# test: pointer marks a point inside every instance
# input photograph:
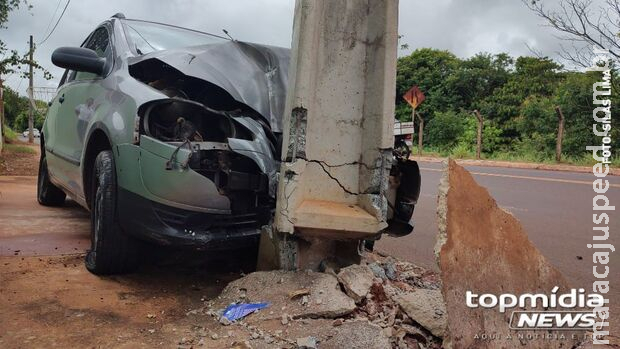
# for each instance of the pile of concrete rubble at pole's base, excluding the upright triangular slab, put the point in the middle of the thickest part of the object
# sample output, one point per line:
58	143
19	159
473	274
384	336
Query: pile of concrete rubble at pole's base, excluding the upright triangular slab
329	317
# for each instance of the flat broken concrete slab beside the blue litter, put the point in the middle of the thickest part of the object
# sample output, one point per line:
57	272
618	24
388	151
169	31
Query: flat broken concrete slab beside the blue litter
325	299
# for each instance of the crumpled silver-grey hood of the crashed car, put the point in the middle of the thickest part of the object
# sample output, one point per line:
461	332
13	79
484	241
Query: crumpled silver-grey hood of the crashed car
255	75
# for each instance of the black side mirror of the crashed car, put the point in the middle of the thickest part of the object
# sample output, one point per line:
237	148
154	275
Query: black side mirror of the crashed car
79	59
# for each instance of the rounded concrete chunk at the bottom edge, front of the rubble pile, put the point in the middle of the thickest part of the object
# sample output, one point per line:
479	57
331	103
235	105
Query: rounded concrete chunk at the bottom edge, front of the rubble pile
358	335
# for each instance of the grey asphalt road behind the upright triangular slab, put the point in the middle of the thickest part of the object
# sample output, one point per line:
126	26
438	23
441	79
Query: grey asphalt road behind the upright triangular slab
555	209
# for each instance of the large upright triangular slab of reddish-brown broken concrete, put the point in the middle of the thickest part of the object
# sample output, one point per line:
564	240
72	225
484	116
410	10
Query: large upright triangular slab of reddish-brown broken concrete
483	249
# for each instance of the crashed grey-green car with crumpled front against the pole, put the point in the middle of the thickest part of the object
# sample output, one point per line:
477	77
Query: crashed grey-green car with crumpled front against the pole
165	134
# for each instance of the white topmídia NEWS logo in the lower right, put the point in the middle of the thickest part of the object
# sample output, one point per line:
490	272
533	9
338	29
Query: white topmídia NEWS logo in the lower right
569	311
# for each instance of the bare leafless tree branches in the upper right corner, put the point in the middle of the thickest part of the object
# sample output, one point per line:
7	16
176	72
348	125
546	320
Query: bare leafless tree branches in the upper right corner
582	25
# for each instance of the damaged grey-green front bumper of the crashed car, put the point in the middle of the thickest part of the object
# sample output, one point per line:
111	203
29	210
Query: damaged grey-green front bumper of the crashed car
202	194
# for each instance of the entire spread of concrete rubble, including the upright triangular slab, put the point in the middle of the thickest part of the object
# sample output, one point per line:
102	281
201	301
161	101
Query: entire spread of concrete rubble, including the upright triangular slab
387	303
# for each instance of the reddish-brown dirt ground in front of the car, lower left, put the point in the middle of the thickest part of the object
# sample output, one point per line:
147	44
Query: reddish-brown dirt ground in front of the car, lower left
53	301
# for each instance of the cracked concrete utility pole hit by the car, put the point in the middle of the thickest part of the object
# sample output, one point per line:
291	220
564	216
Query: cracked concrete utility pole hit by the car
338	132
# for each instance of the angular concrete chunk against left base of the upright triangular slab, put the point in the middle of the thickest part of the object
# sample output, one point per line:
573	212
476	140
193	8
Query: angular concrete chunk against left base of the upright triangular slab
427	308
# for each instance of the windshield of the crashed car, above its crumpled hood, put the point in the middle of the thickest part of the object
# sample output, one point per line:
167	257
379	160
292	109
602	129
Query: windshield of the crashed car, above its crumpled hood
145	37
